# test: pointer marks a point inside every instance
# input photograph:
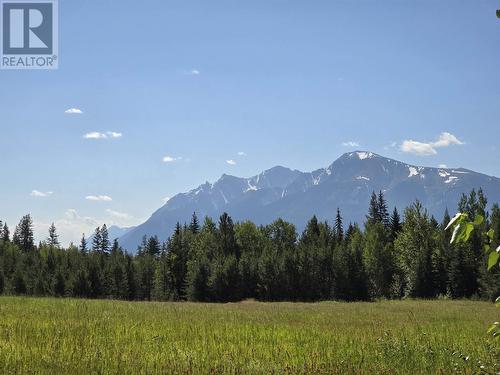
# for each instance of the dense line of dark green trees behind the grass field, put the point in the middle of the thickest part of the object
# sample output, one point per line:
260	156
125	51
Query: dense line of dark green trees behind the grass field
391	256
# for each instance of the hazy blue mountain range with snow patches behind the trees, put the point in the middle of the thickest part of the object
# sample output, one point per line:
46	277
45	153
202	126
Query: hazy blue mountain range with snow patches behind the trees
296	196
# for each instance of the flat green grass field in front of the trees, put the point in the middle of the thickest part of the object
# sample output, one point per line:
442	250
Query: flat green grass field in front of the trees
60	336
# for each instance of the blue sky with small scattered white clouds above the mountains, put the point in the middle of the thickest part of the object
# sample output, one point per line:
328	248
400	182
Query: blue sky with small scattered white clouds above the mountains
284	82
